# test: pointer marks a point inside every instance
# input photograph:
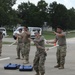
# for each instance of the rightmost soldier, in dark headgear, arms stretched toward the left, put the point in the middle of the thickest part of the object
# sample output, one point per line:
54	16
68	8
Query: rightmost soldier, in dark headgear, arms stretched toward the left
61	49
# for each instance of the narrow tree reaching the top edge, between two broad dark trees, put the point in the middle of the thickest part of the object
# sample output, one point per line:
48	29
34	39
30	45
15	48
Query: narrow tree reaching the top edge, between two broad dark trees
43	12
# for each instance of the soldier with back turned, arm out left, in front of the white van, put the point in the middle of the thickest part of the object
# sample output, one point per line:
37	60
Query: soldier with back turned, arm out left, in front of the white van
26	44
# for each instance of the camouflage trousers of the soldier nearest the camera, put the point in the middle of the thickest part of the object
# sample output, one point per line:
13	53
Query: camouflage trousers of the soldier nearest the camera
39	62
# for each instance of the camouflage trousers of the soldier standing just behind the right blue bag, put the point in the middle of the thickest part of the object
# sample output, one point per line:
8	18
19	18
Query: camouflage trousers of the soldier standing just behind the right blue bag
26	50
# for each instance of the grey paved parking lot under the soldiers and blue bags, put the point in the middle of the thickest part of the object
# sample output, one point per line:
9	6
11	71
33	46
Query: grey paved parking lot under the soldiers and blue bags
50	61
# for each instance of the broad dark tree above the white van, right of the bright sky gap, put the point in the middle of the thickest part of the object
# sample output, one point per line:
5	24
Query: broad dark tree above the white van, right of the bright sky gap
27	13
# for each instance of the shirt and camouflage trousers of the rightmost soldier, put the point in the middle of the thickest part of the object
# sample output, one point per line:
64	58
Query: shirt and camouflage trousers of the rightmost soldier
61	49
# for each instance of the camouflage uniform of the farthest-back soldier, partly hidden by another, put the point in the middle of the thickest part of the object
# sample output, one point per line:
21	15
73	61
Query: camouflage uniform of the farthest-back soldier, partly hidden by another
19	47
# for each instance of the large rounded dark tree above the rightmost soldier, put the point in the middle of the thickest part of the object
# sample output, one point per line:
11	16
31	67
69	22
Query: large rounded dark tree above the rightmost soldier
59	15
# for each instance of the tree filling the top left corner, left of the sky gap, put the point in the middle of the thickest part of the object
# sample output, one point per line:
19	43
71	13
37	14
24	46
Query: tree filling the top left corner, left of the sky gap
5	8
